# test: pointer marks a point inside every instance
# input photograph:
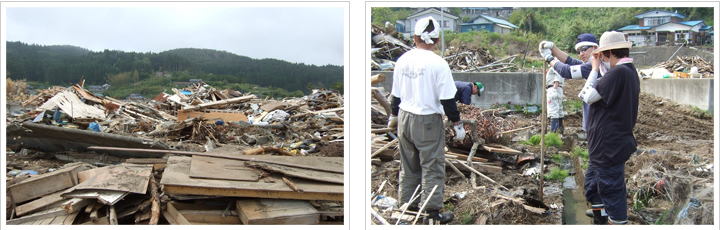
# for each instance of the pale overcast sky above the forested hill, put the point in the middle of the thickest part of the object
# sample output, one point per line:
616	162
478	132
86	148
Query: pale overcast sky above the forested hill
301	34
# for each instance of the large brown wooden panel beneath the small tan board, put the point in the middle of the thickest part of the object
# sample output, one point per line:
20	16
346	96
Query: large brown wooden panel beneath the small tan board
176	180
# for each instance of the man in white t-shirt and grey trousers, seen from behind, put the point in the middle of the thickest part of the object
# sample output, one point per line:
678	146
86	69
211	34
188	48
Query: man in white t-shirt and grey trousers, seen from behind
423	90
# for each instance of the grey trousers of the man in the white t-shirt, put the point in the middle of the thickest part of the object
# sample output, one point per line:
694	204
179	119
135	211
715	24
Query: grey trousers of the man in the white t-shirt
422	156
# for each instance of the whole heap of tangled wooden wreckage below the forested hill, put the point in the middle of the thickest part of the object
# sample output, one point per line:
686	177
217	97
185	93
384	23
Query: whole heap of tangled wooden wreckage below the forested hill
198	156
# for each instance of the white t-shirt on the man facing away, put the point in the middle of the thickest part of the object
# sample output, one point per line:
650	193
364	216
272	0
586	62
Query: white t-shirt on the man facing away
421	79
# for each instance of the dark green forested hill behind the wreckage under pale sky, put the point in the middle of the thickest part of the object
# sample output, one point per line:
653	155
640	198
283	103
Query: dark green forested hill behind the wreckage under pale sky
62	65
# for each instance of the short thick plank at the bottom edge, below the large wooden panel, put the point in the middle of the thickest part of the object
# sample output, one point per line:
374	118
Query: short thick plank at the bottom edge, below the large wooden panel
276	212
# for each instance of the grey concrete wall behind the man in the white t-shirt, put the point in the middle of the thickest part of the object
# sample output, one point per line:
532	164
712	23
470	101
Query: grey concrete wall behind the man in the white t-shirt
518	88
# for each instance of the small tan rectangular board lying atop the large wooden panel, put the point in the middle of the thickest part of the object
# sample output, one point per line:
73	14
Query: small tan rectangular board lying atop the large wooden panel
218	168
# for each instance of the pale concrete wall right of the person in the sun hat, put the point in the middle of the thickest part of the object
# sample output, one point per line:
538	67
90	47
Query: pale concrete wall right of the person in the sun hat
688	91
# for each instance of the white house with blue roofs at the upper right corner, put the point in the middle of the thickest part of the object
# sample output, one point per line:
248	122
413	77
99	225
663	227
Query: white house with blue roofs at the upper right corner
658	27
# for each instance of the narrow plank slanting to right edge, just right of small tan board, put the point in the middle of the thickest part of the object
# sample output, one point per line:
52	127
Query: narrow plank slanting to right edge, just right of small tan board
300	172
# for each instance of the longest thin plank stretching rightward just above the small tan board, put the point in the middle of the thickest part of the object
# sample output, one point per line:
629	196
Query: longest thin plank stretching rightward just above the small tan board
327	164
